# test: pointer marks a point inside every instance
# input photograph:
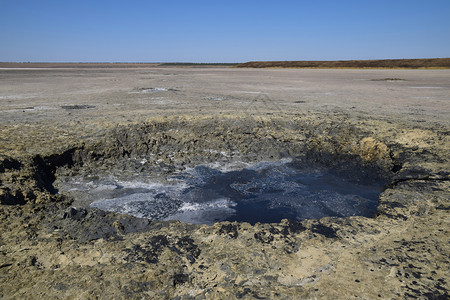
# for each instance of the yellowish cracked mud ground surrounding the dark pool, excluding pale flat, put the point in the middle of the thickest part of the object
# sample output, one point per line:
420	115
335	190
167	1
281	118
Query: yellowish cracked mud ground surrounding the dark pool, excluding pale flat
402	252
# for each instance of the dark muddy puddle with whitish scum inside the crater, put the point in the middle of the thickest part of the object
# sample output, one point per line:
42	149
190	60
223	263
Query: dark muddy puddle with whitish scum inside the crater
265	192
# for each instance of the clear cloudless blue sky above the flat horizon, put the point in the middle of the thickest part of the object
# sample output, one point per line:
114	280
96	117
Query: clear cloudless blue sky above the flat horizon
221	31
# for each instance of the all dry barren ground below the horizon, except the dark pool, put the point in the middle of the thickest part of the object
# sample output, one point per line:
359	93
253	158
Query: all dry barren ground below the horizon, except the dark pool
389	124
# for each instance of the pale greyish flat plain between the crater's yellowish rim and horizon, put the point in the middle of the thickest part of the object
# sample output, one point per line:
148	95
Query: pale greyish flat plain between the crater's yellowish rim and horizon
415	95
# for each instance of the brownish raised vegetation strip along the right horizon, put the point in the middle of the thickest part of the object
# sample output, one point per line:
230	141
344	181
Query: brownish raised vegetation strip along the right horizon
427	63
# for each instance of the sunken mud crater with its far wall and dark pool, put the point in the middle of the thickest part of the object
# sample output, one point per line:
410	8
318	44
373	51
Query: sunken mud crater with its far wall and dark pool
244	177
